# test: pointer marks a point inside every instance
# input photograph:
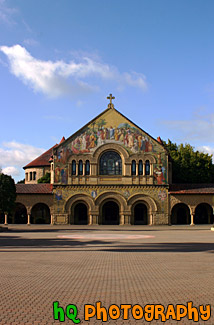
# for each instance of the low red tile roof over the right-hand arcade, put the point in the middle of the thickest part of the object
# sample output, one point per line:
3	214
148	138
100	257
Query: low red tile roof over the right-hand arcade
191	189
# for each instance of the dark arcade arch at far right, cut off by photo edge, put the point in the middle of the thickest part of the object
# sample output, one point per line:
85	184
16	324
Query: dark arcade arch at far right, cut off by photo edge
203	214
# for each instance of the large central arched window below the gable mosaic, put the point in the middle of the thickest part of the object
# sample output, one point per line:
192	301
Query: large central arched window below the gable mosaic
110	163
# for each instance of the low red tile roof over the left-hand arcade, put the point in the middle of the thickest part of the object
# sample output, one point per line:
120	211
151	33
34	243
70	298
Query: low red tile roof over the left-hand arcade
34	188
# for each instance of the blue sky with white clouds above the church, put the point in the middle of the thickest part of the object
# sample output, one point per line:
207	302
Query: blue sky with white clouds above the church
60	59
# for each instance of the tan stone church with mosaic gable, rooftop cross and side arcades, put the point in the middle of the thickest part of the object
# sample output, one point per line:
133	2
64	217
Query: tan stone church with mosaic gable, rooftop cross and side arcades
110	172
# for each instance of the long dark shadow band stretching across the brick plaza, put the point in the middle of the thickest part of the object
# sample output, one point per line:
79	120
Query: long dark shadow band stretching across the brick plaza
14	242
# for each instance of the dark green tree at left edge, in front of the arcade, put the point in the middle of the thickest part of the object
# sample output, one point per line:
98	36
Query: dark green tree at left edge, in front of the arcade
7	193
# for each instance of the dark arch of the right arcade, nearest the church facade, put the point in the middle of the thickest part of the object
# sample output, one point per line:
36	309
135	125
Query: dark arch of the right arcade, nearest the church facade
180	214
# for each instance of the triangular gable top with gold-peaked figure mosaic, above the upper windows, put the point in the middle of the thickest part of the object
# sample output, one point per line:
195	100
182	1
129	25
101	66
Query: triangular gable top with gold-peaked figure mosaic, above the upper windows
109	127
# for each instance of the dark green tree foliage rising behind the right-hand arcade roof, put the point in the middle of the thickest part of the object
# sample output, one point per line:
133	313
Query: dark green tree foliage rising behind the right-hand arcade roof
188	165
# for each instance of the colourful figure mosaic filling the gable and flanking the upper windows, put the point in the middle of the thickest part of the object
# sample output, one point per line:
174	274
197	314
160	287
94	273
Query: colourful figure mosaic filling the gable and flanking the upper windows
110	127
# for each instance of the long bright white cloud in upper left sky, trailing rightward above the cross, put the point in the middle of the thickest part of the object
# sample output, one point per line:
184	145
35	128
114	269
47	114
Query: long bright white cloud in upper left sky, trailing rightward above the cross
60	78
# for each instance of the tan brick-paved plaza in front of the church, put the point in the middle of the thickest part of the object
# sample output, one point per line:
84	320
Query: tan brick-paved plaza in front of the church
112	264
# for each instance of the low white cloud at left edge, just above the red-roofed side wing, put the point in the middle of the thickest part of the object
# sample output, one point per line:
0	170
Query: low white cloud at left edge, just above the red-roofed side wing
14	156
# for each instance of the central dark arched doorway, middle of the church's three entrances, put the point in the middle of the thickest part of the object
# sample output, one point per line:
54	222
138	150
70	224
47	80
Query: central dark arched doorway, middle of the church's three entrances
110	213
